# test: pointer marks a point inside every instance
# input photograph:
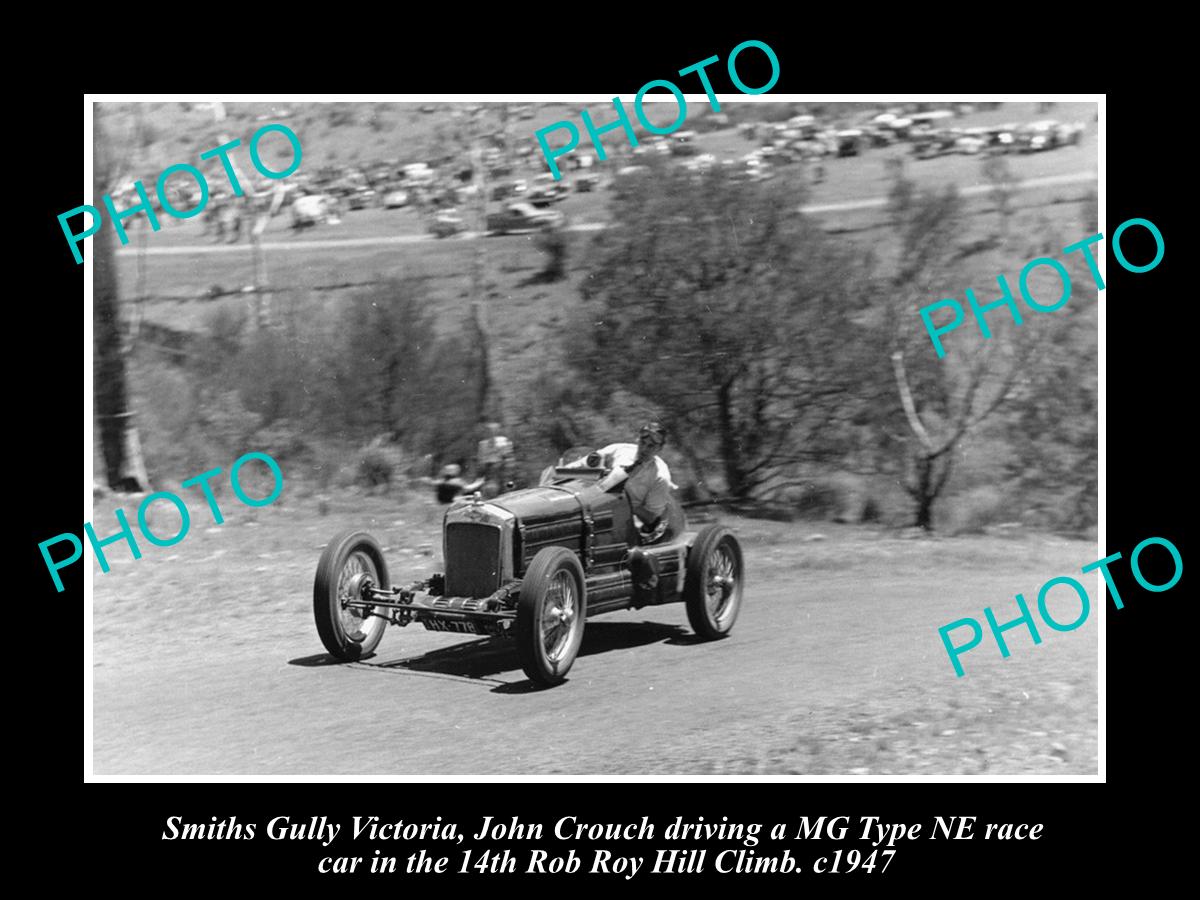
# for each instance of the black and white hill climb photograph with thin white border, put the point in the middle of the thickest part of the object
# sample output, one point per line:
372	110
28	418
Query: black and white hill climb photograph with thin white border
669	436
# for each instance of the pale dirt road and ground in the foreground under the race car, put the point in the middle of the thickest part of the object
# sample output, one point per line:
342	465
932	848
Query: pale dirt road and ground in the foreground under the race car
207	662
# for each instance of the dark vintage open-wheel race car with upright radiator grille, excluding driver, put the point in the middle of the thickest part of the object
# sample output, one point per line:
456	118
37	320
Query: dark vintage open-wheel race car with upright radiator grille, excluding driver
533	566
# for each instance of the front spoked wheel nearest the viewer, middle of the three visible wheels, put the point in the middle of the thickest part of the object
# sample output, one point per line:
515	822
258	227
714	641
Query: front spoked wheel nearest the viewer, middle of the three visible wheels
550	616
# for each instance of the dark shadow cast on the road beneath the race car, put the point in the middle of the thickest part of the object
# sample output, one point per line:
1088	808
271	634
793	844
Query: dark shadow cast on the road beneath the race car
497	656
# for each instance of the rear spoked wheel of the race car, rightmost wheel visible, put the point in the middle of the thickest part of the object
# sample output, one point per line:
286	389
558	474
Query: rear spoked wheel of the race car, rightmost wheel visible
713	586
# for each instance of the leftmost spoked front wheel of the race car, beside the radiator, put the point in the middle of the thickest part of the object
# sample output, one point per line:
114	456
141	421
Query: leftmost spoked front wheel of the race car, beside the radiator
353	561
